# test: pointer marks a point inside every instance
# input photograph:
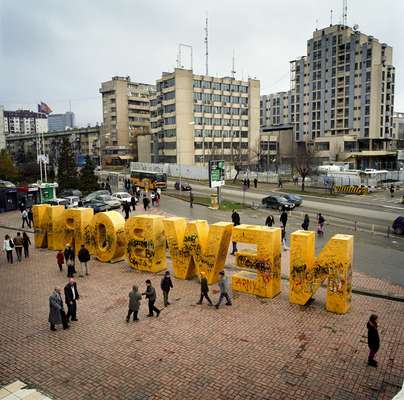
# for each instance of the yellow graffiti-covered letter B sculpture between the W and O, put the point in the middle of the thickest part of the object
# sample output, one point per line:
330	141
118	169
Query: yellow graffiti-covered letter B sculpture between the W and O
146	248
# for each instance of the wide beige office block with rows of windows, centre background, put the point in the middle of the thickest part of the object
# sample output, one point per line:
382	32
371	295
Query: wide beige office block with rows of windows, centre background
196	118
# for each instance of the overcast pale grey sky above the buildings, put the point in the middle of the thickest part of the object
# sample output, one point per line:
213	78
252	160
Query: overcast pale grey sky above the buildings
54	50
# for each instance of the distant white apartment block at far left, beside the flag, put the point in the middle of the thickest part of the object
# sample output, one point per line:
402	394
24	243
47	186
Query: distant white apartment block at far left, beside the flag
24	122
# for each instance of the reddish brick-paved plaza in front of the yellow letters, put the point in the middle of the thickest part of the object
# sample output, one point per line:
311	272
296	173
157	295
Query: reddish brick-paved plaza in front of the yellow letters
256	349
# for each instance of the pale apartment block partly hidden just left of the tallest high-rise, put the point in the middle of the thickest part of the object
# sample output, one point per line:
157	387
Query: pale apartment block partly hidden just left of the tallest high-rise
275	110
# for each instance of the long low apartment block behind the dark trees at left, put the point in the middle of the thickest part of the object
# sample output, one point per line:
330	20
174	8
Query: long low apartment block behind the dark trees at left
85	142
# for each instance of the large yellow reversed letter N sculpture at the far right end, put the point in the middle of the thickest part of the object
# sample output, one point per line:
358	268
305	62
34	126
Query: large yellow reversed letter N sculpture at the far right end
307	272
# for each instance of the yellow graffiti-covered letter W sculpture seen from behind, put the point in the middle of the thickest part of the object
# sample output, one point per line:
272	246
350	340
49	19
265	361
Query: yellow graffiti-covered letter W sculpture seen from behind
196	247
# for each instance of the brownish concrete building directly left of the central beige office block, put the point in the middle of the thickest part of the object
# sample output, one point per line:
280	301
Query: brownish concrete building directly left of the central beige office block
126	116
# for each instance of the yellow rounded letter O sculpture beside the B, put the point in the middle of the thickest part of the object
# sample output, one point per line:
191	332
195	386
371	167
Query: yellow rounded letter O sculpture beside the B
108	236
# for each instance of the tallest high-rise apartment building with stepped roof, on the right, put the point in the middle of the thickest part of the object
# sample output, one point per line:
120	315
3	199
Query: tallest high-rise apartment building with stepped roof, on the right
342	93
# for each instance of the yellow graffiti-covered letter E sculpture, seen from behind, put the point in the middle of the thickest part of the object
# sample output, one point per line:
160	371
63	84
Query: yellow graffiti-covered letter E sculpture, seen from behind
265	281
